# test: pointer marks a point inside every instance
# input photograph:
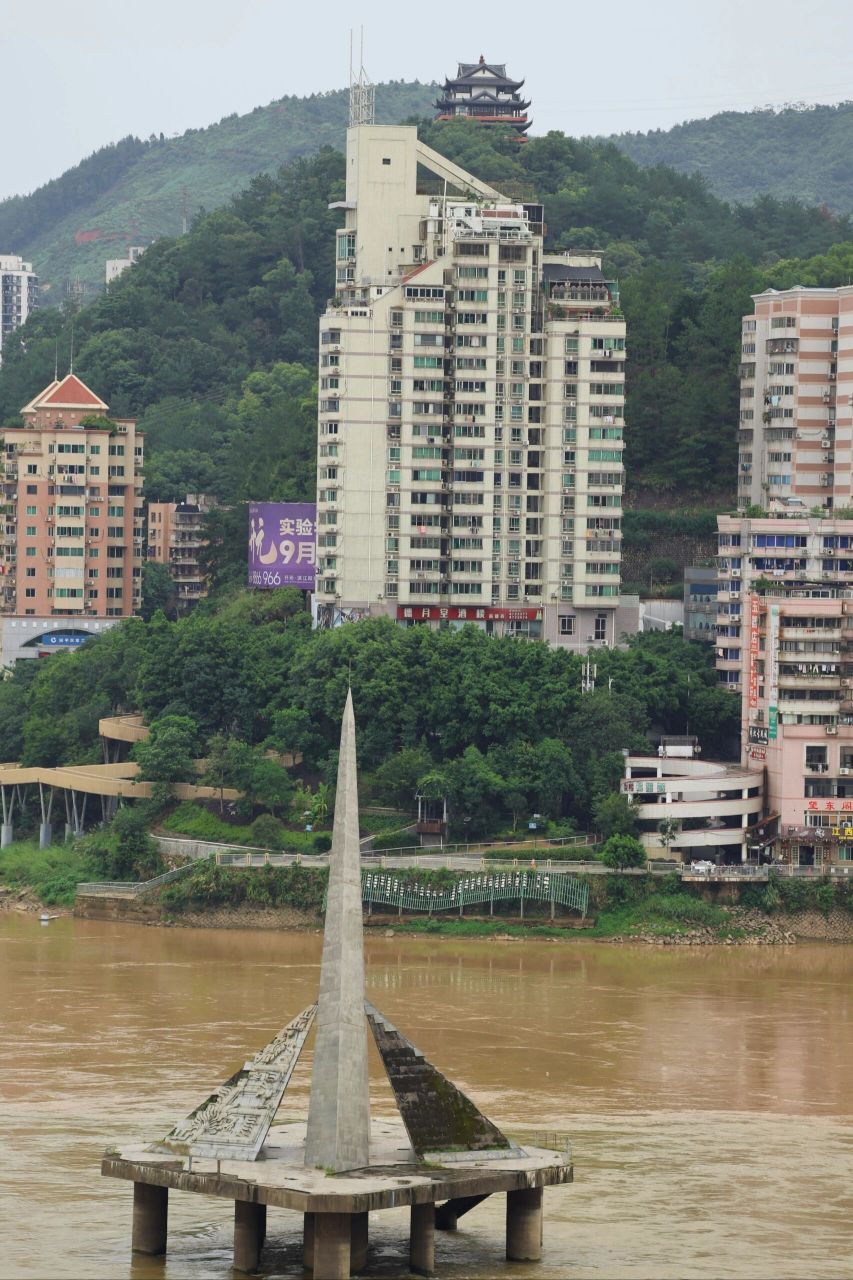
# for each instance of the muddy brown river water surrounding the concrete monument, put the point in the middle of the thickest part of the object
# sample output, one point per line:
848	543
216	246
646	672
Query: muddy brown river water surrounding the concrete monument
708	1092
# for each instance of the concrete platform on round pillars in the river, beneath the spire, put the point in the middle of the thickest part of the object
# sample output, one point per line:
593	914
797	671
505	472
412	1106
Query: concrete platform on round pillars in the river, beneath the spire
336	1208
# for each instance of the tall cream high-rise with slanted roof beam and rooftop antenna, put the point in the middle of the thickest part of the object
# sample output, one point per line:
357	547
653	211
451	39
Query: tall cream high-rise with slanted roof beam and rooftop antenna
472	409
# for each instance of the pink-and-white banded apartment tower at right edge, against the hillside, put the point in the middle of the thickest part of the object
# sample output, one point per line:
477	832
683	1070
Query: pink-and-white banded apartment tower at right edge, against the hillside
796	432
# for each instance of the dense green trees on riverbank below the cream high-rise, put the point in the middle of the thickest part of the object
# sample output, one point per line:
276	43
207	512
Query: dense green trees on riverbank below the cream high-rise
500	728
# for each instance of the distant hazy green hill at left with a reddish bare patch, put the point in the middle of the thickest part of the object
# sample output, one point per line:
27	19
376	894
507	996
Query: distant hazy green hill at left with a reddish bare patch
136	191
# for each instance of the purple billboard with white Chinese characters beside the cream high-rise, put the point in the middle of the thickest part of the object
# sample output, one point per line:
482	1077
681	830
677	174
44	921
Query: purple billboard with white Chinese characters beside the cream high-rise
282	545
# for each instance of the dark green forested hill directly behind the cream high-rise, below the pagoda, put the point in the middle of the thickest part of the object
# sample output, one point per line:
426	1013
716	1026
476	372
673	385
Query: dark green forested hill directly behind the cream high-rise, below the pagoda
212	339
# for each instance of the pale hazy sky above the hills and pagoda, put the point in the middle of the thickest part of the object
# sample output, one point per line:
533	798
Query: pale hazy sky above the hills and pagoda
77	76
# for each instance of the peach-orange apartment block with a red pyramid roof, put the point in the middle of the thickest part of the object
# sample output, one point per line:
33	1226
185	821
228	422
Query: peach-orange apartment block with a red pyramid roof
72	542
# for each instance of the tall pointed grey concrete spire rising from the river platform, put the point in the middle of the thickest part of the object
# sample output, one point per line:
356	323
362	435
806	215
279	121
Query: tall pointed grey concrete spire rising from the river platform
339	1127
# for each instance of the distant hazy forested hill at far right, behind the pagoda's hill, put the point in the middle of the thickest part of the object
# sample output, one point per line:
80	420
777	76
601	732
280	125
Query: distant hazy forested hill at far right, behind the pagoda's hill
801	152
